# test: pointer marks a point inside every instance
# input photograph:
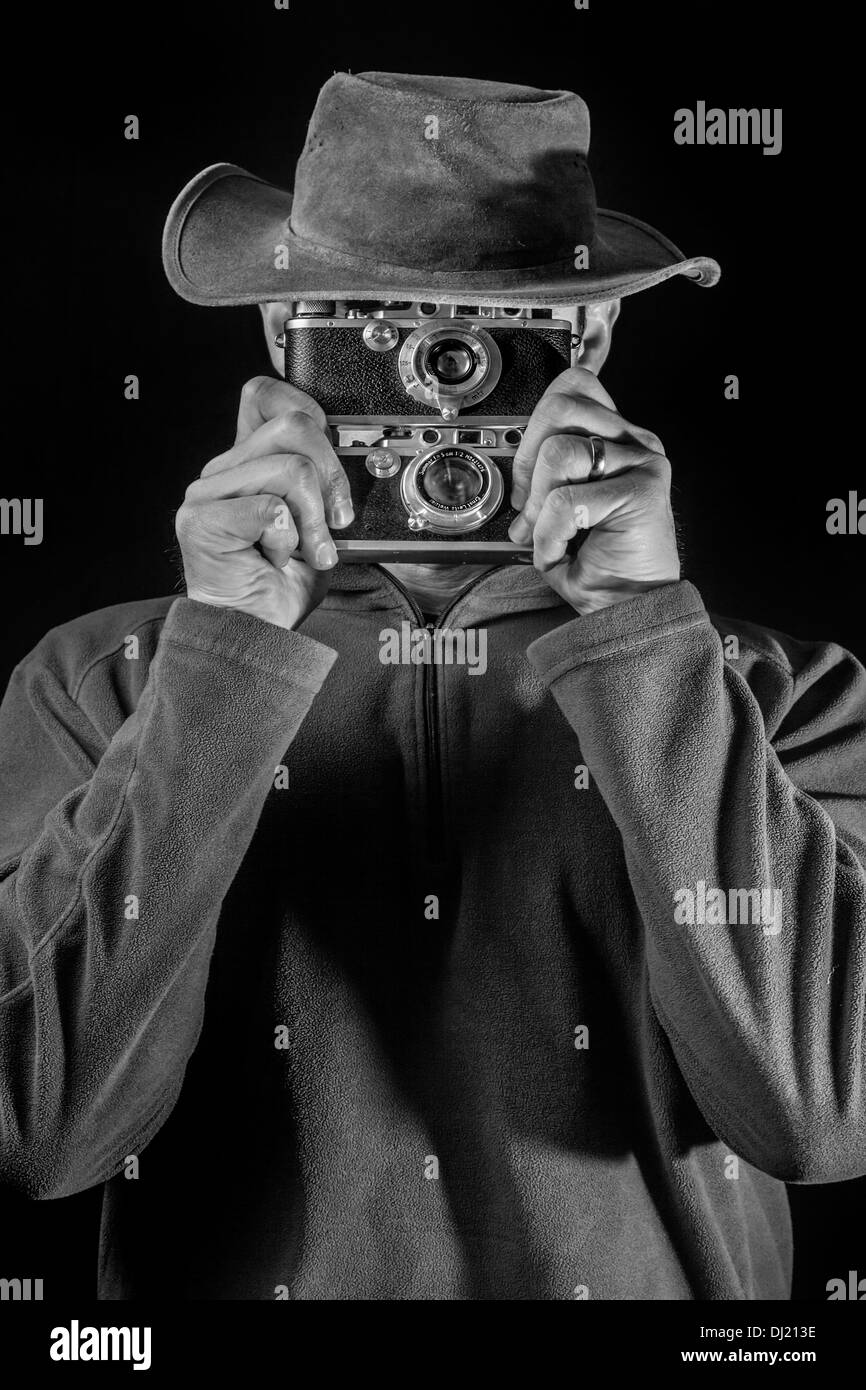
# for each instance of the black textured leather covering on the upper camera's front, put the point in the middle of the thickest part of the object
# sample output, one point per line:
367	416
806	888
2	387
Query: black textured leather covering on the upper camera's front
347	379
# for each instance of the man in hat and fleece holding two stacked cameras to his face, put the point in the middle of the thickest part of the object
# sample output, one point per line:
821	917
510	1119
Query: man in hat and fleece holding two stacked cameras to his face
362	981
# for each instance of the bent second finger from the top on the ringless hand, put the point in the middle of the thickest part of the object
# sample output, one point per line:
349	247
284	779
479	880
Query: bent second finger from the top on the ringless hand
291	477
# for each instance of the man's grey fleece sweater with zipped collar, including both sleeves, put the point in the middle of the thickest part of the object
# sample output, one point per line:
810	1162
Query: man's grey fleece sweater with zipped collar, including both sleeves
355	981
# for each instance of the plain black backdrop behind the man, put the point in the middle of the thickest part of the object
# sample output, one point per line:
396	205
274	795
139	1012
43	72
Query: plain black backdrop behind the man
87	305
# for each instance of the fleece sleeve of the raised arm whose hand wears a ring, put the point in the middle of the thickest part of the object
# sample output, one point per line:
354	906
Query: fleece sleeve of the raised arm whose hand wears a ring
762	997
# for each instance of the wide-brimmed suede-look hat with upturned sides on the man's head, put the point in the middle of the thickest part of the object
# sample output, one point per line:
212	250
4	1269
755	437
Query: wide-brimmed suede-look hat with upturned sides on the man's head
422	188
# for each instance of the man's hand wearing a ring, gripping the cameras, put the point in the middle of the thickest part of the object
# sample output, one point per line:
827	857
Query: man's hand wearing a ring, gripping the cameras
633	544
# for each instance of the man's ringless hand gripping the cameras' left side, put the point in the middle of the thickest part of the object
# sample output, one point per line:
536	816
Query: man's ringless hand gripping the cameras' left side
276	491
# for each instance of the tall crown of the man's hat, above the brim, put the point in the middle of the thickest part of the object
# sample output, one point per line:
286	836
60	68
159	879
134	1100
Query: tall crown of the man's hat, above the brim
452	174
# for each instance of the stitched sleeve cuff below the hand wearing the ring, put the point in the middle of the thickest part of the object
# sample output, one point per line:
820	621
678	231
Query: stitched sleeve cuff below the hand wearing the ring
618	629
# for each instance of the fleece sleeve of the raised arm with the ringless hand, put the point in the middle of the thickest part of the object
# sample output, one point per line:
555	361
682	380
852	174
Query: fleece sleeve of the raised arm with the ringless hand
115	857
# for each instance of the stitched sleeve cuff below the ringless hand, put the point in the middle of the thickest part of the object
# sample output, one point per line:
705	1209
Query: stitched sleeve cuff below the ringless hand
240	637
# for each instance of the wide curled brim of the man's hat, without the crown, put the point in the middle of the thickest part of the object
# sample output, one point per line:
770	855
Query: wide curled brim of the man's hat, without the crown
222	240
